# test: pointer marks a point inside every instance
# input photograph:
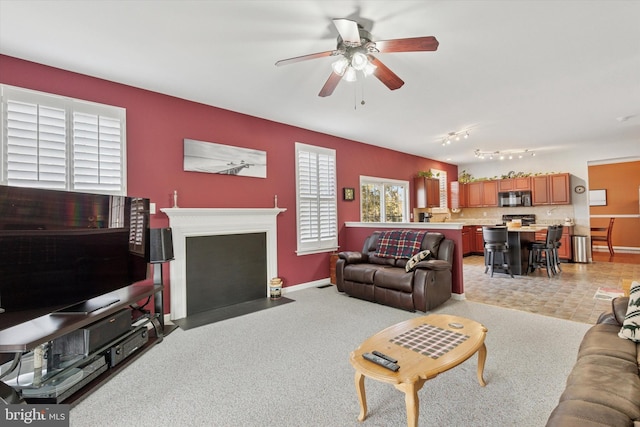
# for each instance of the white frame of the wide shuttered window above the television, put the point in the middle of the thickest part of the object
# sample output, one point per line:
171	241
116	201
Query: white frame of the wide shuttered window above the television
71	107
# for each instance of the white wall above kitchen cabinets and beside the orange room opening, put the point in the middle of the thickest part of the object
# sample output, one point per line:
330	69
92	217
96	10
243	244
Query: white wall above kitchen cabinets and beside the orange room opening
575	161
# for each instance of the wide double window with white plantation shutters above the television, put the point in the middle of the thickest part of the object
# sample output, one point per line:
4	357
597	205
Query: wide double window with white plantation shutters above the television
55	142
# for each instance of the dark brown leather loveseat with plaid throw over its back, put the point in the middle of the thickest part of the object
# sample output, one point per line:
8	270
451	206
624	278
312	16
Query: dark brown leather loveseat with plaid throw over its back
384	280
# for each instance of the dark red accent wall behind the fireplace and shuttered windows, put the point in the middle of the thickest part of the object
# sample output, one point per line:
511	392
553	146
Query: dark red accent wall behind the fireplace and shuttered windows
157	125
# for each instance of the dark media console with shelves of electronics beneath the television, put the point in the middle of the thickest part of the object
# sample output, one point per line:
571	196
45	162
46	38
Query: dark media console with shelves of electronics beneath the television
84	349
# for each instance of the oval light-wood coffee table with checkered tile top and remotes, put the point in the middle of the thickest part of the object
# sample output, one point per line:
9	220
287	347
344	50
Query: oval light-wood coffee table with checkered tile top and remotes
424	347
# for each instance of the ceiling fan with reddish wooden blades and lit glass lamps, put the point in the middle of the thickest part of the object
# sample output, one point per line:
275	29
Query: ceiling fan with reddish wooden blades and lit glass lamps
355	49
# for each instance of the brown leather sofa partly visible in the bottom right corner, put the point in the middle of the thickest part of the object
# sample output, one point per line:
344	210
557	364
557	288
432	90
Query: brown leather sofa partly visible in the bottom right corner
603	388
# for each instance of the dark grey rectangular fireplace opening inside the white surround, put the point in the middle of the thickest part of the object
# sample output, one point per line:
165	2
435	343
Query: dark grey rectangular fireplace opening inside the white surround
224	270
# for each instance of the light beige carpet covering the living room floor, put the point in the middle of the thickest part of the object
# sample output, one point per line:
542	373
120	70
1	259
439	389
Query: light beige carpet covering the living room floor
289	366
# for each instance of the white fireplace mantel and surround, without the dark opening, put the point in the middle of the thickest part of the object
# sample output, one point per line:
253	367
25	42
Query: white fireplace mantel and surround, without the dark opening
195	222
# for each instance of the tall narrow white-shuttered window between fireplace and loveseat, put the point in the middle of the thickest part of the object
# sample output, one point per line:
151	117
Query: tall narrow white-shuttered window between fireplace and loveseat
316	207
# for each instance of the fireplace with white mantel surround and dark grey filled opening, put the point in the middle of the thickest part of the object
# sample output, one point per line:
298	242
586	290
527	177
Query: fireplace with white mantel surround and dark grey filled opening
204	233
